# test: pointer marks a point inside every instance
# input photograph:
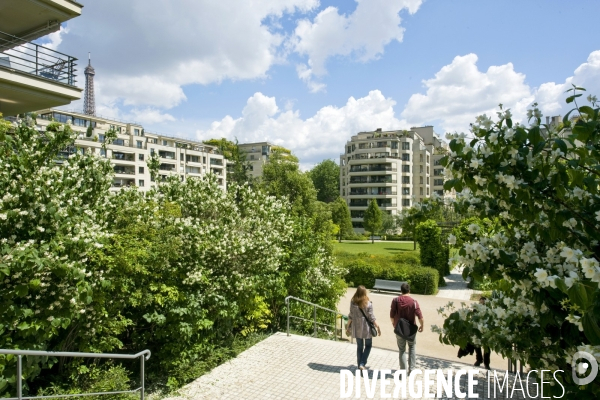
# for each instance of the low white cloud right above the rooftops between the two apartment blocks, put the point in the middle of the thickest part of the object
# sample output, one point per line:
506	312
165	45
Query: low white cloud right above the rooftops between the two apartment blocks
313	139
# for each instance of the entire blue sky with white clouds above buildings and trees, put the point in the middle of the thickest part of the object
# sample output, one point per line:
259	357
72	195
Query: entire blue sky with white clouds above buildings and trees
309	74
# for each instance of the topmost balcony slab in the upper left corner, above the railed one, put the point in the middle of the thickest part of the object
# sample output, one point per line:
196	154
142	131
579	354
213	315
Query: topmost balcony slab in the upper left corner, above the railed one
33	19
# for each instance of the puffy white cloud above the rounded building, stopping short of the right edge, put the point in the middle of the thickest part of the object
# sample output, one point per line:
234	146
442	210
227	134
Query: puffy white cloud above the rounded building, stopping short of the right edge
459	92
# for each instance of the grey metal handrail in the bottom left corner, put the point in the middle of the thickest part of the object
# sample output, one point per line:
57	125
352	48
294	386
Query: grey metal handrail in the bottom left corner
142	355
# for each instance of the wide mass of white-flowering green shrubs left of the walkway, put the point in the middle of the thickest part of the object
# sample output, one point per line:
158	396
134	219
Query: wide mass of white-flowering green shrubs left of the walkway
87	270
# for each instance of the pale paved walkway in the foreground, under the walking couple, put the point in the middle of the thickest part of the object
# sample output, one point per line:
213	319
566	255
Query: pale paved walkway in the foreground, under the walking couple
299	367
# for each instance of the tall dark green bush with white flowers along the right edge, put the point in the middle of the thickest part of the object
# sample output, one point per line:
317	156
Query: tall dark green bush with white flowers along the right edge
543	185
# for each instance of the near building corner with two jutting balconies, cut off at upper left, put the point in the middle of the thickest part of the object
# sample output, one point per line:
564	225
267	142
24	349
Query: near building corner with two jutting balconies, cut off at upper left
33	77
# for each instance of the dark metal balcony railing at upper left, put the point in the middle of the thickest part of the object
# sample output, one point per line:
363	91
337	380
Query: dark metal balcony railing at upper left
31	58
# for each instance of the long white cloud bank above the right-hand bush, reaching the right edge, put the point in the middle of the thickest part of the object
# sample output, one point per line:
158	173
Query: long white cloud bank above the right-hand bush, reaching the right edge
460	91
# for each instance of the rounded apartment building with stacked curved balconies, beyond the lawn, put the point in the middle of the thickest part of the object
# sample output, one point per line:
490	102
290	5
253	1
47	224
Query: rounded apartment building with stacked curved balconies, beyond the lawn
397	168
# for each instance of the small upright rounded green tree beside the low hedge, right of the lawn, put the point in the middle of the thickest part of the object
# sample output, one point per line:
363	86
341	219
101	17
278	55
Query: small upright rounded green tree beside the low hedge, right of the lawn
433	252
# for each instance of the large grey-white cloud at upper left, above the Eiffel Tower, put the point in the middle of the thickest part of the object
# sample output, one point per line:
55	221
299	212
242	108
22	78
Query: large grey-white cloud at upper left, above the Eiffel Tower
145	51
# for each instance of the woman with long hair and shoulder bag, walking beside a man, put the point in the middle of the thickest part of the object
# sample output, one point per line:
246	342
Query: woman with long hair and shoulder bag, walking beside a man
359	318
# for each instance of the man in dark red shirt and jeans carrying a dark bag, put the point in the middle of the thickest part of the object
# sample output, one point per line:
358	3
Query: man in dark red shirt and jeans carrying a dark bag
406	307
